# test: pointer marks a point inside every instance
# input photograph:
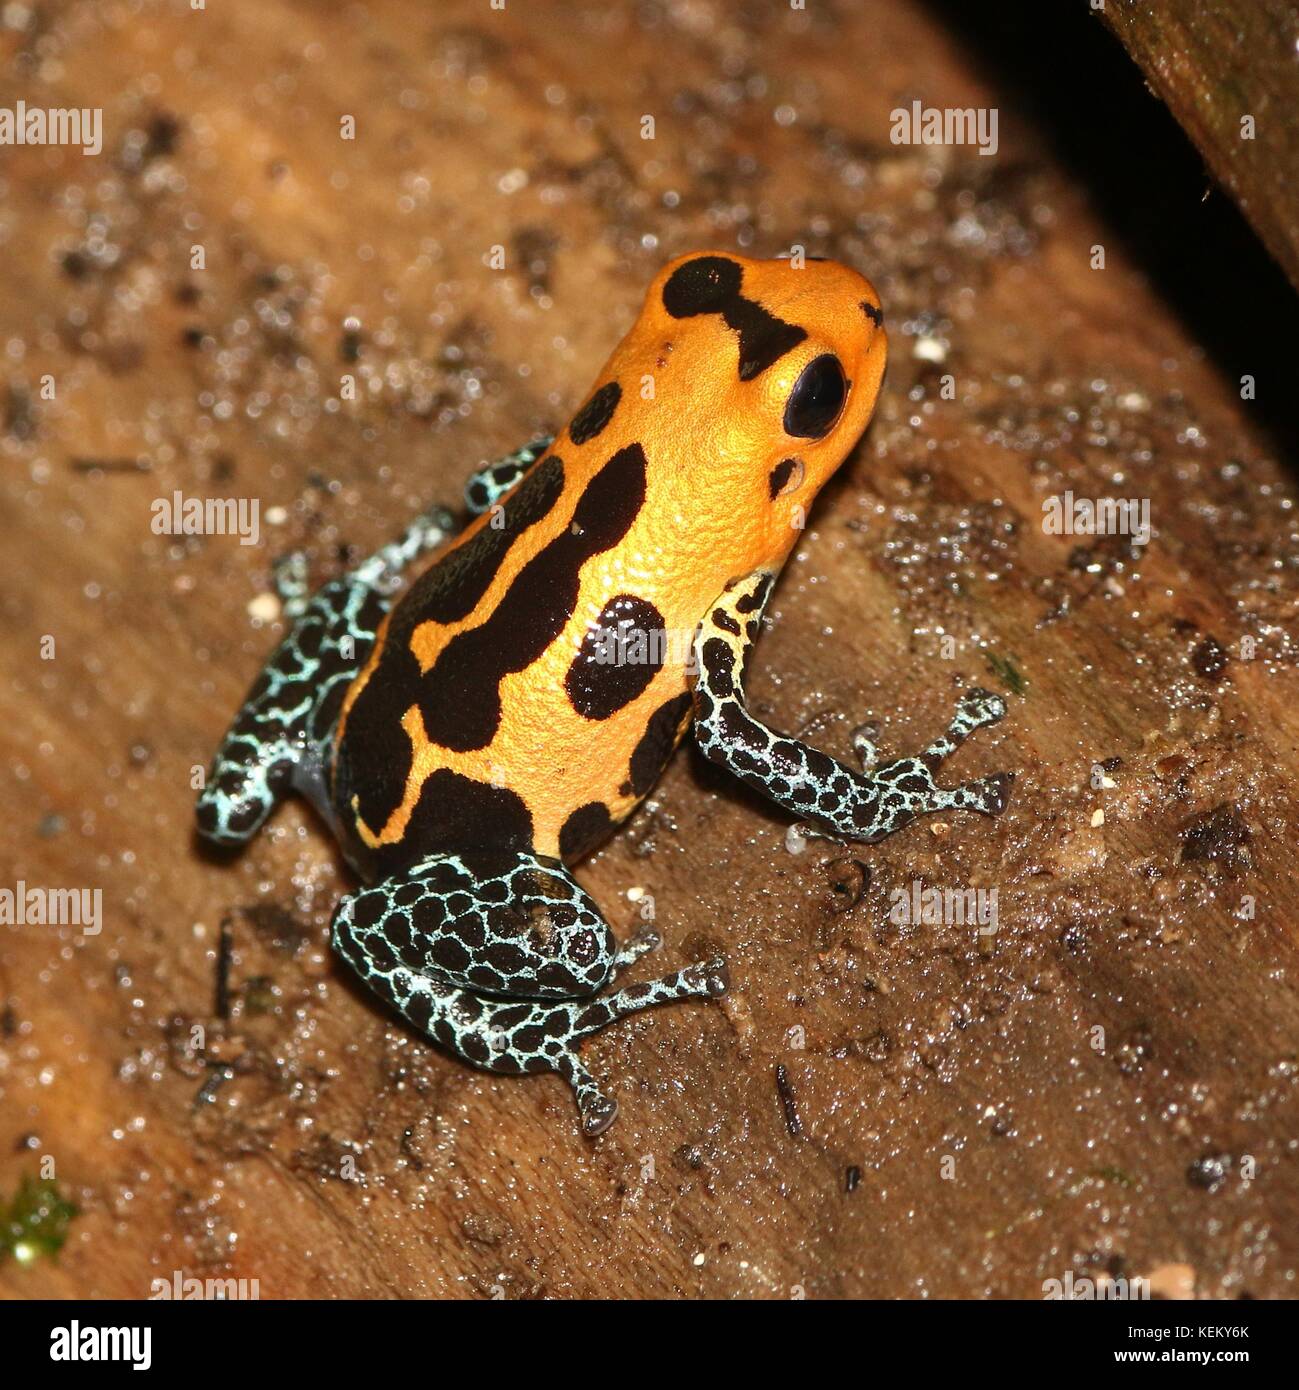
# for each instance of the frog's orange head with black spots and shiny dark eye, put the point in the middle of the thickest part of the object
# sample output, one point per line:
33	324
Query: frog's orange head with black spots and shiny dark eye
756	379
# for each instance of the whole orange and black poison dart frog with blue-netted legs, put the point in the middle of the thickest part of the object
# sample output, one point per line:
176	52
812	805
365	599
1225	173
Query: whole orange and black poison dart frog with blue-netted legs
472	740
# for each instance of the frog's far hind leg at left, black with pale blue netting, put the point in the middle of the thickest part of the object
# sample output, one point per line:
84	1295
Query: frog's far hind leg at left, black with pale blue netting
274	742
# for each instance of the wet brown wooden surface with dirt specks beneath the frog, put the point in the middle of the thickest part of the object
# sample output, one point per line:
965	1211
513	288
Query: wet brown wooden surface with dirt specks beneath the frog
1105	1086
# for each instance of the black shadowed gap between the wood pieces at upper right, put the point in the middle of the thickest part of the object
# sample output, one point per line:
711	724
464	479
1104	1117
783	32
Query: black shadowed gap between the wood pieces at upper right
1070	79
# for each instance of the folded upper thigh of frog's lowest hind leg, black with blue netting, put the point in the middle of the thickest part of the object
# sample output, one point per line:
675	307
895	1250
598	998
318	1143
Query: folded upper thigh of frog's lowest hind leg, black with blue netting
505	925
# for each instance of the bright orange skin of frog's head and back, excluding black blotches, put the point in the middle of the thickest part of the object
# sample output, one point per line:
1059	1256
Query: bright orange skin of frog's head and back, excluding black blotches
712	443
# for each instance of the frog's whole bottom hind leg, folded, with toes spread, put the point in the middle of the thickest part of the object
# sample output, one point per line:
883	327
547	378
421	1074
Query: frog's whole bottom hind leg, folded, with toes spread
501	958
